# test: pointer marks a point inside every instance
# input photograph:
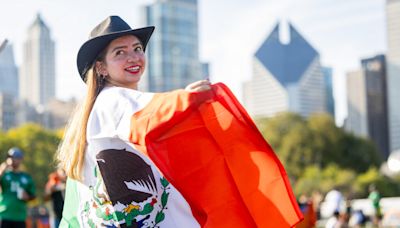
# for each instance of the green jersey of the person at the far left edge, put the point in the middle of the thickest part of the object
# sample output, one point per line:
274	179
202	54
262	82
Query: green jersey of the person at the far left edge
11	207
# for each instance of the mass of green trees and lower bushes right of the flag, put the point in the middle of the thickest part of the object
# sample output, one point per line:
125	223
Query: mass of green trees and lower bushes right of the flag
319	156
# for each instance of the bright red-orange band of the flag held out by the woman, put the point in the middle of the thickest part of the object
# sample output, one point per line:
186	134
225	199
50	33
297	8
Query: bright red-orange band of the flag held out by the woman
208	147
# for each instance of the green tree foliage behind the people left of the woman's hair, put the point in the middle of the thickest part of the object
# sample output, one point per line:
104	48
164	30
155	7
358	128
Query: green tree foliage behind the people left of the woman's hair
39	146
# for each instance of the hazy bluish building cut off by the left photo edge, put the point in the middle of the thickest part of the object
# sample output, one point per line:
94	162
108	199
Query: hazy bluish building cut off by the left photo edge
8	70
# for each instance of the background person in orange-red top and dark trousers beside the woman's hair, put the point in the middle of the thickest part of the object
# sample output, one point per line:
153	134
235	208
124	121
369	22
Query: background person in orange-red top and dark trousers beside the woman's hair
55	191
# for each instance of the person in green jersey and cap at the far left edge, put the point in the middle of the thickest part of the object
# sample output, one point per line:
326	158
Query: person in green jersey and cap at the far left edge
16	189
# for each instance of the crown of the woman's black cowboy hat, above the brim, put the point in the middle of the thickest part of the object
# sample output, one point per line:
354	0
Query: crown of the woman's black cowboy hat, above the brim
111	24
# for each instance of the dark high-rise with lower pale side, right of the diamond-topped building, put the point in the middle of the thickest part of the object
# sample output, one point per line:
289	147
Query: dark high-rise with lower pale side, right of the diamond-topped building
367	103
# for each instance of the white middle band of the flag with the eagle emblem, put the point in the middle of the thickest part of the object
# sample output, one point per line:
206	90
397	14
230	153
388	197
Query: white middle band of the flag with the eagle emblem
122	186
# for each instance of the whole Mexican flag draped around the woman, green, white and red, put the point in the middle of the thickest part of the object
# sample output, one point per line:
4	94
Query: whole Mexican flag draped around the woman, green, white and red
177	159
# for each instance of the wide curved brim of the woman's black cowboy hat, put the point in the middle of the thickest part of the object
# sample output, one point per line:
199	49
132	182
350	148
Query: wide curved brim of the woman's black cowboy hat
92	48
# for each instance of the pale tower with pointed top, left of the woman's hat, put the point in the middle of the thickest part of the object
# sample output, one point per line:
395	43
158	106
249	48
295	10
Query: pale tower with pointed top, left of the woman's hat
37	77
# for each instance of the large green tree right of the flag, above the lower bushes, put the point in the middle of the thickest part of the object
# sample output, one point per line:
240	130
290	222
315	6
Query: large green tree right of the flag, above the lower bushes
300	143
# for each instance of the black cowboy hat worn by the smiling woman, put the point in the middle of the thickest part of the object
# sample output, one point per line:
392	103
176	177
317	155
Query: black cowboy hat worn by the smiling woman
109	29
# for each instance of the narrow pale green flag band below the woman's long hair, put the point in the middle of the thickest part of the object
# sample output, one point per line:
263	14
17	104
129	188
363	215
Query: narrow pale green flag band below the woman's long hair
71	204
